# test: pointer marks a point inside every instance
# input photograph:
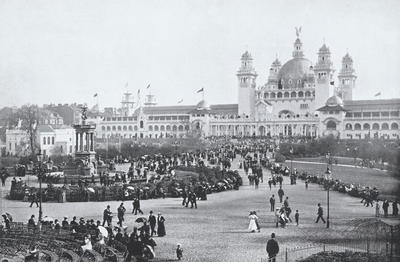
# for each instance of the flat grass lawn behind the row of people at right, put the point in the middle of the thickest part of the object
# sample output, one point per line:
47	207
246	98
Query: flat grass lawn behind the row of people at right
387	184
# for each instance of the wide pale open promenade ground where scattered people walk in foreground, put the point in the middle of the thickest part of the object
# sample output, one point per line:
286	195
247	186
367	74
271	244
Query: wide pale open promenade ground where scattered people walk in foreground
217	230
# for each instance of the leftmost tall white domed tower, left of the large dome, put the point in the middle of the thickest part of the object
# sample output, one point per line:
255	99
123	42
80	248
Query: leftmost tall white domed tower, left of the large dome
247	83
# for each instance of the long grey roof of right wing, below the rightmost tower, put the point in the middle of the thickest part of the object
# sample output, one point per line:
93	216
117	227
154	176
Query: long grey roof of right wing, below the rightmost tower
376	104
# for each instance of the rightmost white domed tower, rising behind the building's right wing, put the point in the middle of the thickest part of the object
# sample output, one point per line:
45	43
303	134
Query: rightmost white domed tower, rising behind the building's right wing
347	78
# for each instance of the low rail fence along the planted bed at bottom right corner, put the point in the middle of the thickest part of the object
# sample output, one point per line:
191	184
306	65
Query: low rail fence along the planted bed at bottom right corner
369	248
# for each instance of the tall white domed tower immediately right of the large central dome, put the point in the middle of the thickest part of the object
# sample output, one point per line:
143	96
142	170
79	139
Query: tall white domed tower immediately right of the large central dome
323	71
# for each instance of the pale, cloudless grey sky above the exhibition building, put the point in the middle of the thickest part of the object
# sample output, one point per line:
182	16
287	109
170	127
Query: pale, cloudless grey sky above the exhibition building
55	51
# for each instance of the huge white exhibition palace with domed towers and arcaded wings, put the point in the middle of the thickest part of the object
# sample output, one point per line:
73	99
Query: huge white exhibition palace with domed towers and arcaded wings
298	99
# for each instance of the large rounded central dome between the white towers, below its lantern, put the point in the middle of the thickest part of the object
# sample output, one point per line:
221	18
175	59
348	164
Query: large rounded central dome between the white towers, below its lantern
294	70
